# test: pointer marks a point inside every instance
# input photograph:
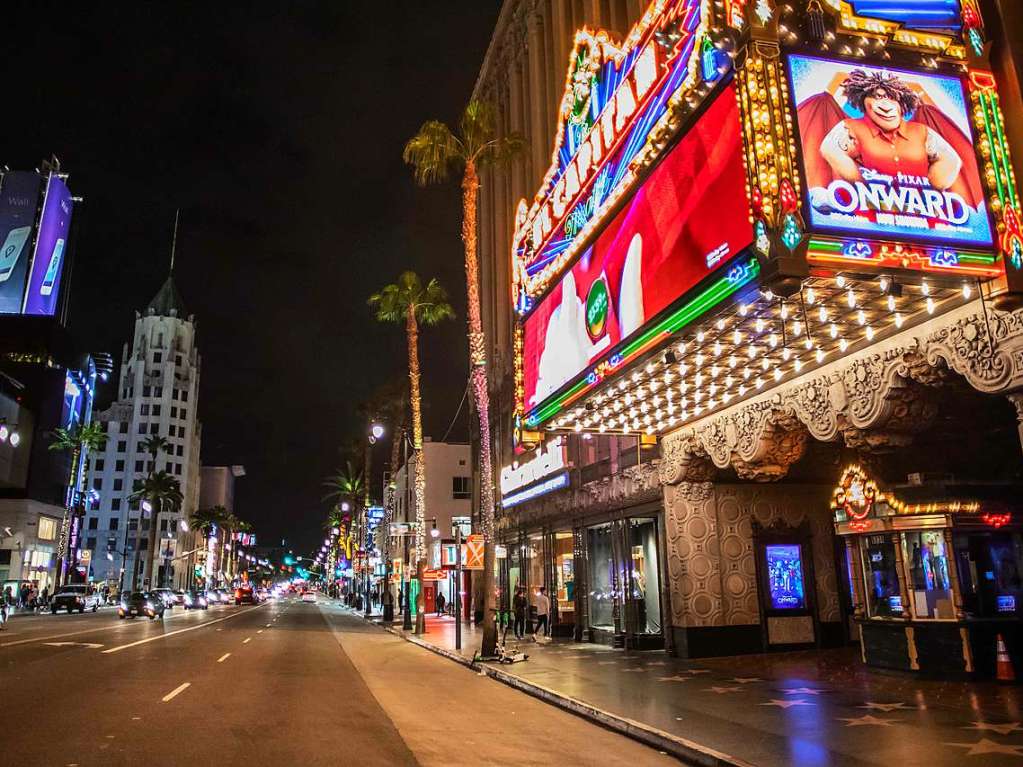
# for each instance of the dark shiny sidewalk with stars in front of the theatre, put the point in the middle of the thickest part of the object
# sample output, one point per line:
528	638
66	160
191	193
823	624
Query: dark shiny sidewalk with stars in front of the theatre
805	709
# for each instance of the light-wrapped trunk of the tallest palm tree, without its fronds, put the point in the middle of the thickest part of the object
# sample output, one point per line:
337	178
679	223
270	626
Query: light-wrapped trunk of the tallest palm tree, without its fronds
481	395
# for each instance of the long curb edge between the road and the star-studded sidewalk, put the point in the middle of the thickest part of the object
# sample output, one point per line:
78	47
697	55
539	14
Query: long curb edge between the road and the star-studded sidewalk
683	749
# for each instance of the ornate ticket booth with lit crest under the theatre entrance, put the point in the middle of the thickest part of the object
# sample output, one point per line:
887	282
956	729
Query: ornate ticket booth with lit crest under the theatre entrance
936	573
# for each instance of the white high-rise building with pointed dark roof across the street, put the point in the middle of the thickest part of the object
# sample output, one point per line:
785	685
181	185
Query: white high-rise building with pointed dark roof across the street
158	397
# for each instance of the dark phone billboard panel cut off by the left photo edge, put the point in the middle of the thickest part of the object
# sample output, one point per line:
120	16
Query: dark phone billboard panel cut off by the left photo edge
19	201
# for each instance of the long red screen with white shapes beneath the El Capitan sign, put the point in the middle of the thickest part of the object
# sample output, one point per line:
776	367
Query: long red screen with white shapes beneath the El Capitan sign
689	217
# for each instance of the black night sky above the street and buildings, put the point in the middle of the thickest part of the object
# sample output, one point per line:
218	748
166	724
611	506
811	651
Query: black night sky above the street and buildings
277	127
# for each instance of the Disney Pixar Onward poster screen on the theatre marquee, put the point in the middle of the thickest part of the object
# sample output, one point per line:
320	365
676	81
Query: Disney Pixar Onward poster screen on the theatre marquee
888	154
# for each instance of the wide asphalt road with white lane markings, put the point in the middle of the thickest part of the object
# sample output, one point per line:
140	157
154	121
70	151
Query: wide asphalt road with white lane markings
285	683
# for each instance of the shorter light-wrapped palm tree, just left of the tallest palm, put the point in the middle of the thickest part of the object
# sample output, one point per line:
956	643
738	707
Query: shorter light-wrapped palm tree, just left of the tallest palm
411	302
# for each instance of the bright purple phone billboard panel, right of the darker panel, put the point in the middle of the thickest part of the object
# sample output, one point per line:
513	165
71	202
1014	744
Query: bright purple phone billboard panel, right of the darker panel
45	283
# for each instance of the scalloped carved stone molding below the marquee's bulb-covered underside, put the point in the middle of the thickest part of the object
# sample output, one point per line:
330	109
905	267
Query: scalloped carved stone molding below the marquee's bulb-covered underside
874	401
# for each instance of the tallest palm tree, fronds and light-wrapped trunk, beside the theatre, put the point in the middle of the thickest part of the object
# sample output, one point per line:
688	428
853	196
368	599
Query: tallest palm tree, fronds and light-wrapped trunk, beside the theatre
434	153
